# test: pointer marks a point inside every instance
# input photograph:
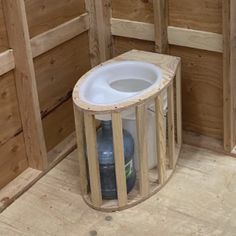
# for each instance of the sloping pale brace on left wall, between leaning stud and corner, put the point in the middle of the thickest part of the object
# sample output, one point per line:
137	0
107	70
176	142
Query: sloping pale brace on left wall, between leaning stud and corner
60	34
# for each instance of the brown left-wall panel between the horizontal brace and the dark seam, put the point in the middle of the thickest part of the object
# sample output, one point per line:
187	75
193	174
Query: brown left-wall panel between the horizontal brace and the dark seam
58	70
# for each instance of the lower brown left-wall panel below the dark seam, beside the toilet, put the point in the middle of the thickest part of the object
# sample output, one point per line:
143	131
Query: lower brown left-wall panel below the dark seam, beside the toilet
59	124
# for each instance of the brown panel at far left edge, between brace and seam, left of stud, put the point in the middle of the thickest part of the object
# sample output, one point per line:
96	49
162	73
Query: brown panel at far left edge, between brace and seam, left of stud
10	123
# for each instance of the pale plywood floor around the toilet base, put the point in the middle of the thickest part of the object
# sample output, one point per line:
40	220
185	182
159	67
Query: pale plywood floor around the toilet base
200	199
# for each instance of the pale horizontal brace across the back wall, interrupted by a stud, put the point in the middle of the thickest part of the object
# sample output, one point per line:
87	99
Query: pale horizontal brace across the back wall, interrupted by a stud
176	36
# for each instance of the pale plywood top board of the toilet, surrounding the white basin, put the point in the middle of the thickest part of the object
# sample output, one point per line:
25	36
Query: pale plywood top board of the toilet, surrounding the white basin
167	64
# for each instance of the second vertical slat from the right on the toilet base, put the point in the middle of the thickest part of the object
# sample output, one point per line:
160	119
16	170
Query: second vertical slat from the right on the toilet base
171	127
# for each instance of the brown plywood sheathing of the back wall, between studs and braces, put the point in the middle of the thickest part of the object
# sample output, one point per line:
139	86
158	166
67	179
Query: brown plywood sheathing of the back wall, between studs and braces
202	70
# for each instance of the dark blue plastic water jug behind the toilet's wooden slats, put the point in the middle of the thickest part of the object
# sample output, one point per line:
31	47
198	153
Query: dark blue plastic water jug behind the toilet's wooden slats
107	162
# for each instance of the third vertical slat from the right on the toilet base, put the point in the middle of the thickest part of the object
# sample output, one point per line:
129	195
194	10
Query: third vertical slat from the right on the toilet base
160	139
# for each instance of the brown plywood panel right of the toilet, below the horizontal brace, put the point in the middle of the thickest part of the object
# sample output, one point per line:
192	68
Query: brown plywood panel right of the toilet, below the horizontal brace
202	90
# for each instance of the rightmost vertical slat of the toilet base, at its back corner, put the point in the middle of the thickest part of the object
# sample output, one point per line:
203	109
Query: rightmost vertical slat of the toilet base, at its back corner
178	106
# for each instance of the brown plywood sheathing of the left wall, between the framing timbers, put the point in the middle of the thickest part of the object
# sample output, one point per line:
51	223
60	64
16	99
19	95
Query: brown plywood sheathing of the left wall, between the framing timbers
56	72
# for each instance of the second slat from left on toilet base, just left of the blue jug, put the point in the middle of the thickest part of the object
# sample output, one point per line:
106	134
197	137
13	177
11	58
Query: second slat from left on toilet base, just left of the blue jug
93	163
